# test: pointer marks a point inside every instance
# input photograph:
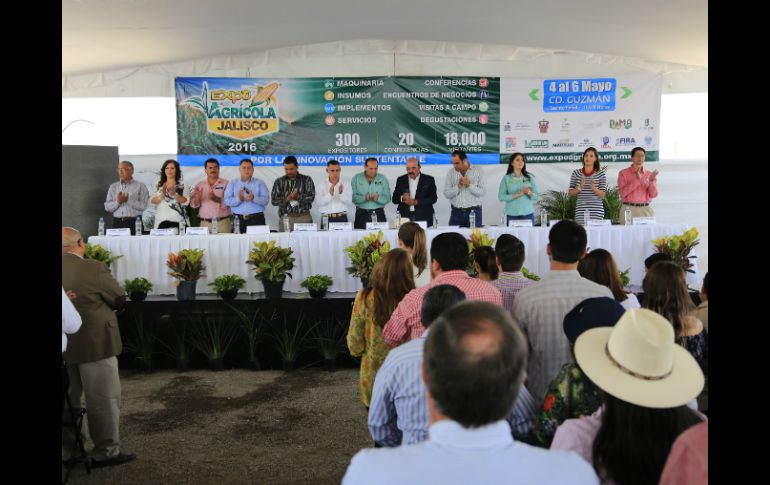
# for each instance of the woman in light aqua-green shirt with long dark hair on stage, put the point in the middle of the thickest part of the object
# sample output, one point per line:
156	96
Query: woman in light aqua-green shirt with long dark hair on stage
518	190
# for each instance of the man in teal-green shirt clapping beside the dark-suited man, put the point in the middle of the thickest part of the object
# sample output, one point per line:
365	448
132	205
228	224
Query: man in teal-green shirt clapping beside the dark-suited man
371	192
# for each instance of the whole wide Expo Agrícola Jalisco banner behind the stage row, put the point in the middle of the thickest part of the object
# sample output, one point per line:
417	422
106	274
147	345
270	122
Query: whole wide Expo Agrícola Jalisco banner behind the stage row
394	118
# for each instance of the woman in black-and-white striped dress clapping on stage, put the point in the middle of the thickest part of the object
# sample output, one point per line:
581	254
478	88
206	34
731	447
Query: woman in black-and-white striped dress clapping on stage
589	185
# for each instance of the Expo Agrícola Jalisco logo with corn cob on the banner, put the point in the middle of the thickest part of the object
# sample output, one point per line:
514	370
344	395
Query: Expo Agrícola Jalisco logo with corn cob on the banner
241	114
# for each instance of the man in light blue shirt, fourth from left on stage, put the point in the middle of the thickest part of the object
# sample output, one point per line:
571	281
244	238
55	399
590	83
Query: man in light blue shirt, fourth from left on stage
247	197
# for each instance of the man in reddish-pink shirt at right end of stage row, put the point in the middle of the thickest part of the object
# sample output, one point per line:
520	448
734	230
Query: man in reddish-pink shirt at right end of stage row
637	187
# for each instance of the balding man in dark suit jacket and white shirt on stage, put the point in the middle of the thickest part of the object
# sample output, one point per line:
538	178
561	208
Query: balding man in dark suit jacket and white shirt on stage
415	193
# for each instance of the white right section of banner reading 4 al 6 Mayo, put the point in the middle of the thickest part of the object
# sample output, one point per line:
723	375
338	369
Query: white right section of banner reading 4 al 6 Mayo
555	120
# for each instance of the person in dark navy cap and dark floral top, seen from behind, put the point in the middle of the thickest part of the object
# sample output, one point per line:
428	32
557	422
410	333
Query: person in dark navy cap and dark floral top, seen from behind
572	394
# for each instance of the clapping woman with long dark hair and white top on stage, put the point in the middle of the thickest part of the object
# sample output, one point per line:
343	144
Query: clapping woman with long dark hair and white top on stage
171	197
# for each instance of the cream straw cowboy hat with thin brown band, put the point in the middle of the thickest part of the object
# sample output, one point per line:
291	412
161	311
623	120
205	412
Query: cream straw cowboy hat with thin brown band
638	361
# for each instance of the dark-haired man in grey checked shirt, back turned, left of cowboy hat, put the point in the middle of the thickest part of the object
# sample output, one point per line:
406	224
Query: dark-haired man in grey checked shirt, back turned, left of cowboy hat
540	309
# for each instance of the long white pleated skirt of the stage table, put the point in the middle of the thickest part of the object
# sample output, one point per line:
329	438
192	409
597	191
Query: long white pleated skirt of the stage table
323	253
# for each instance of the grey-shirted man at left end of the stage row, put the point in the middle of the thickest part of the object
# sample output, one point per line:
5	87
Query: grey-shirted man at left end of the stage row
127	198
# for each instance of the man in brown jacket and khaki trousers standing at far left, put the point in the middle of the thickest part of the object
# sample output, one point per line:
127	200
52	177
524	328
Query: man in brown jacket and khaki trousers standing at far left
91	353
